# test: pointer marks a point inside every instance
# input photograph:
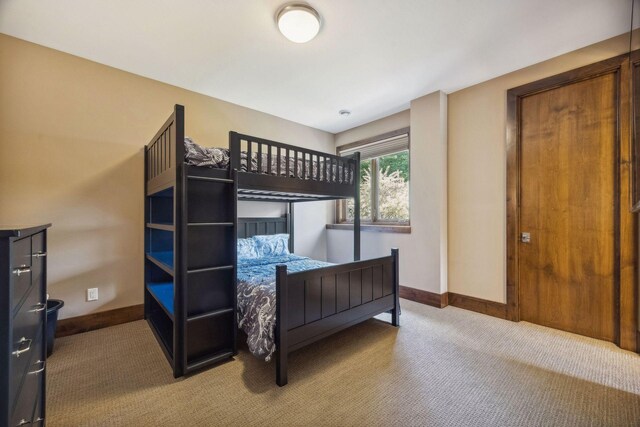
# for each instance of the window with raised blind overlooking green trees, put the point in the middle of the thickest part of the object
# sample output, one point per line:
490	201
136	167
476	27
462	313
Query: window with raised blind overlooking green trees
384	180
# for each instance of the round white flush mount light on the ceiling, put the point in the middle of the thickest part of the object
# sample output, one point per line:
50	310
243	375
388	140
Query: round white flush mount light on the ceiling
298	22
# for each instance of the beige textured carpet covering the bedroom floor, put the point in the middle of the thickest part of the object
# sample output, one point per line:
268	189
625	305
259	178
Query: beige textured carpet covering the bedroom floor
446	367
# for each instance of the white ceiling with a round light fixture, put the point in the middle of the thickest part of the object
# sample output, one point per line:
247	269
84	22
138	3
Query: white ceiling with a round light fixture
371	57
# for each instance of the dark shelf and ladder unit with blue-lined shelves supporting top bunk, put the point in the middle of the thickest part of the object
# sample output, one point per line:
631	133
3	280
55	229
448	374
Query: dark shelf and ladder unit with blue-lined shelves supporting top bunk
190	240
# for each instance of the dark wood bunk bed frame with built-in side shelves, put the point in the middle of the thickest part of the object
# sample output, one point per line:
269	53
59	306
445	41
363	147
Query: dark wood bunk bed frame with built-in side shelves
191	231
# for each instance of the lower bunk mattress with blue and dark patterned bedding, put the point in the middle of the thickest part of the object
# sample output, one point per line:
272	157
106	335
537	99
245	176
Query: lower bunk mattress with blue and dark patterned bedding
257	298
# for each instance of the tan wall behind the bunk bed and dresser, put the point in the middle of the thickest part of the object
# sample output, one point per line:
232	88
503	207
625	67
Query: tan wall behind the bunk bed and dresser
71	148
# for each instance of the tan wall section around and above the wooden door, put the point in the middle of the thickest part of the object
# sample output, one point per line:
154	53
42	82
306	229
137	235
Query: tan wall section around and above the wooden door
477	171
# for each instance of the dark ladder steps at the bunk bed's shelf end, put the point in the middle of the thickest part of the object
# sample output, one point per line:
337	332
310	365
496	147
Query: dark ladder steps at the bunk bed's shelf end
210	283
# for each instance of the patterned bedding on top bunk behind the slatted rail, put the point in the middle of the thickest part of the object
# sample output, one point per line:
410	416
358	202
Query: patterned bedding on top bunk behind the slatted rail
219	158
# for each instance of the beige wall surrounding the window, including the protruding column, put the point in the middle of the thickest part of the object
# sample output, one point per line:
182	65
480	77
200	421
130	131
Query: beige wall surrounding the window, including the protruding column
423	252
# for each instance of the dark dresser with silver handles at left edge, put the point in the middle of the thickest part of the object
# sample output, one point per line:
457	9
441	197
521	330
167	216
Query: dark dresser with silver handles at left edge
23	306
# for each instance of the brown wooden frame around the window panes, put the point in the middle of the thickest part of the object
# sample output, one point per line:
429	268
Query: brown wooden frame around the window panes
341	205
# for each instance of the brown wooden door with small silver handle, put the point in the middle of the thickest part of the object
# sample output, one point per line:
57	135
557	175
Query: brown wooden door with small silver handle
569	207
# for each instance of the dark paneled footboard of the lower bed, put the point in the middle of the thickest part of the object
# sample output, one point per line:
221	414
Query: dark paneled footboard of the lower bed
314	304
